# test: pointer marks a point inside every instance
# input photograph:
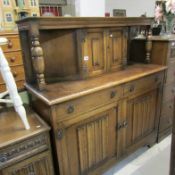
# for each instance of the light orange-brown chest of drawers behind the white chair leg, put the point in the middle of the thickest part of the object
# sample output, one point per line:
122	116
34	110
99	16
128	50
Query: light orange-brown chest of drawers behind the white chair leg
13	55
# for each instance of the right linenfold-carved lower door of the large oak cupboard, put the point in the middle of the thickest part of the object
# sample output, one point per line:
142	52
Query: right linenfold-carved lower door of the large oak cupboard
141	117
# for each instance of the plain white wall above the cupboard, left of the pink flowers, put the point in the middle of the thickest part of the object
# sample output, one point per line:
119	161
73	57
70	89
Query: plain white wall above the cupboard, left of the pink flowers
133	8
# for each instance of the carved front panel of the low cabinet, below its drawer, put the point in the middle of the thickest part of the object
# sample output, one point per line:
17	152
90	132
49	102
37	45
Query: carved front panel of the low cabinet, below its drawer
40	164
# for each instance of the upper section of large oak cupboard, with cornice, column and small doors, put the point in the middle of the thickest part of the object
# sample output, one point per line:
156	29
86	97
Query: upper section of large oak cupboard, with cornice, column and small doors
67	48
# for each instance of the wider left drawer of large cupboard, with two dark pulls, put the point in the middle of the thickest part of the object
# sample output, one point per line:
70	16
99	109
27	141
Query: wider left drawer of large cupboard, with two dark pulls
88	102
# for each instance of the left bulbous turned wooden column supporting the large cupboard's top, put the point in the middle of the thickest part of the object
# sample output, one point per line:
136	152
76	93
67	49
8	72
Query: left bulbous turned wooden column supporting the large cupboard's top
37	57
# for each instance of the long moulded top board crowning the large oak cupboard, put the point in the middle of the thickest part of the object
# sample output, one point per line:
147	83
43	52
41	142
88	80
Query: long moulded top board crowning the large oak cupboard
81	22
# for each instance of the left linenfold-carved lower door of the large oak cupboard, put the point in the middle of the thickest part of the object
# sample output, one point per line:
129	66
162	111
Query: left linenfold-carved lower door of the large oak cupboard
91	142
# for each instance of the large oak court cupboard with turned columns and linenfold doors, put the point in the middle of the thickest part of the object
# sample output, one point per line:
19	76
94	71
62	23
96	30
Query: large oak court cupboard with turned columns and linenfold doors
100	109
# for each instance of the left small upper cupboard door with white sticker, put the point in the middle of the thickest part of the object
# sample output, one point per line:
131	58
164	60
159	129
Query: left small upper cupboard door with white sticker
92	51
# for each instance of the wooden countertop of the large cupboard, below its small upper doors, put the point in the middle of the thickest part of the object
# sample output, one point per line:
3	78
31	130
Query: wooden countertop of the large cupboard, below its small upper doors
64	91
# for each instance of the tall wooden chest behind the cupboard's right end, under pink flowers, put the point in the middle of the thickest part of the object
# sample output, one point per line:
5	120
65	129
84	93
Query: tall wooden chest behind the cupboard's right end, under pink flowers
162	53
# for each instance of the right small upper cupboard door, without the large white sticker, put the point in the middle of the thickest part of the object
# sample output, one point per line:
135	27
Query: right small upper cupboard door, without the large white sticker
116	48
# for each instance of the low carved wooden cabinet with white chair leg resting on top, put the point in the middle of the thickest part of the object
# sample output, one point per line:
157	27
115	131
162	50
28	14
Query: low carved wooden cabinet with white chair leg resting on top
23	151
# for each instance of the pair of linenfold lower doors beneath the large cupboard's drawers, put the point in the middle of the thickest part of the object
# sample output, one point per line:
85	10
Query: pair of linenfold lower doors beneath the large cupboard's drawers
88	144
